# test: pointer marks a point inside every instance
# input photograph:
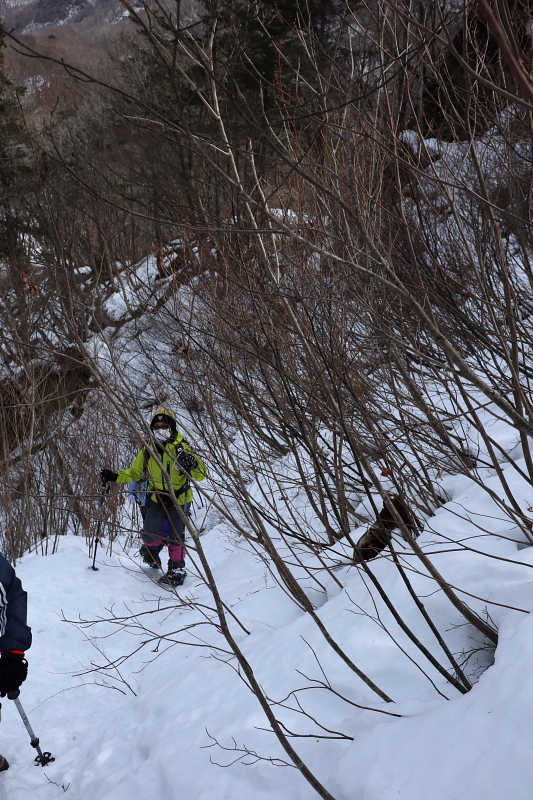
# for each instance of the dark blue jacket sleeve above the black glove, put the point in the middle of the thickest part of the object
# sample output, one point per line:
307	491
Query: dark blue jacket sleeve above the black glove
14	631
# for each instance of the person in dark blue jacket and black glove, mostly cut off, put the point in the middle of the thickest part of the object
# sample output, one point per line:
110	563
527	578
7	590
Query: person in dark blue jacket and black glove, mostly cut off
15	635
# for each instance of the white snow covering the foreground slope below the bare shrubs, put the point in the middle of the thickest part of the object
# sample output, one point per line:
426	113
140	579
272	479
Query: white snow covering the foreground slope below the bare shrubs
149	728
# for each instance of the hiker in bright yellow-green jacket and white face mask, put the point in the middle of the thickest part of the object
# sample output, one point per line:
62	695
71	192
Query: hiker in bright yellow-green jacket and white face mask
181	464
